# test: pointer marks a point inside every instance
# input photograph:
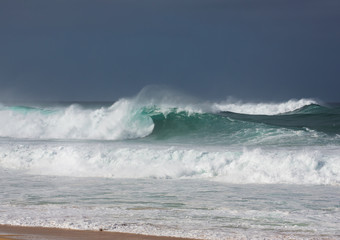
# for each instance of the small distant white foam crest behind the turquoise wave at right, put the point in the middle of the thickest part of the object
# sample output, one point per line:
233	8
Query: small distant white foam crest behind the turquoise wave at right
262	108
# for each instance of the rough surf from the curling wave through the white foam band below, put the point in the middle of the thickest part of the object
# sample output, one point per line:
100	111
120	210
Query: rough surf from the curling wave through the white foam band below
167	135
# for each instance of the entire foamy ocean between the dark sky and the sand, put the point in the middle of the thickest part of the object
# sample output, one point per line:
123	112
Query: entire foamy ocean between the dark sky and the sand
162	163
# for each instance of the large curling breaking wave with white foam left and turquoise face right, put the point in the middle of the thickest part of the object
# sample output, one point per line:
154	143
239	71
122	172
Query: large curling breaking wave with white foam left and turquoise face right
166	117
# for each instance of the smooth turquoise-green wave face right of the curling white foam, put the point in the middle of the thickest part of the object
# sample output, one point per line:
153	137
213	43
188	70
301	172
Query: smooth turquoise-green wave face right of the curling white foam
310	125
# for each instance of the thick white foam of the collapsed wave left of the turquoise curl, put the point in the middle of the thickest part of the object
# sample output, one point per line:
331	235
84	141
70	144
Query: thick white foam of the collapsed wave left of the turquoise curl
120	121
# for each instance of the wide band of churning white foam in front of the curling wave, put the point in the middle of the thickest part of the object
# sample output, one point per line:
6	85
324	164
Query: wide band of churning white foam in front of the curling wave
307	165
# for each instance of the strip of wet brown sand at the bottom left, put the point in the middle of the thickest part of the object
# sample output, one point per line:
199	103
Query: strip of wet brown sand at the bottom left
38	233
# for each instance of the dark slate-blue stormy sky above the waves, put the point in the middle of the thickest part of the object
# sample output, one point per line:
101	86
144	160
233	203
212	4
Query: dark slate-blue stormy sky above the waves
102	50
